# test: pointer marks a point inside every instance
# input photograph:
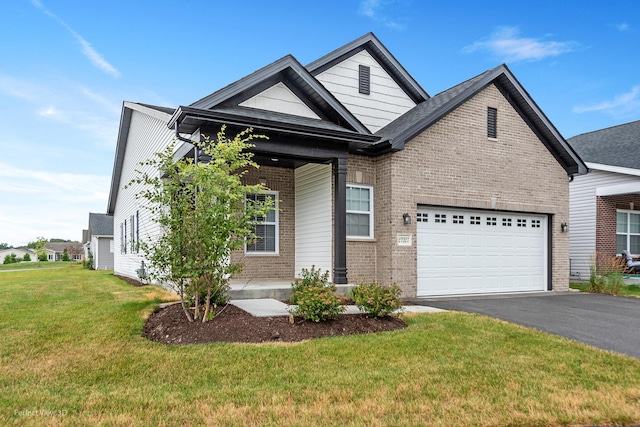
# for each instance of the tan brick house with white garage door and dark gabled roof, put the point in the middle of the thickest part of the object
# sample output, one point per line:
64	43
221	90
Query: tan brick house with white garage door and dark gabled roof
463	192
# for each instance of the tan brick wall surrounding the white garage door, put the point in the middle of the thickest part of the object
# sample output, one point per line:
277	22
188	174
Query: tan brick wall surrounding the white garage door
453	163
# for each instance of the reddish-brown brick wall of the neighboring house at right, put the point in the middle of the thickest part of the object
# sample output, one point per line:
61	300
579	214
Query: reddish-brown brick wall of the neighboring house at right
606	220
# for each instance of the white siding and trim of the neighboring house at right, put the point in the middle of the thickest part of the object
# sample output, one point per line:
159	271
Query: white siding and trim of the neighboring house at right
582	216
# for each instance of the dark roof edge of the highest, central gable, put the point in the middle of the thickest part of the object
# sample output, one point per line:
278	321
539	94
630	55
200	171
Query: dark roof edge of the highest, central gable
379	52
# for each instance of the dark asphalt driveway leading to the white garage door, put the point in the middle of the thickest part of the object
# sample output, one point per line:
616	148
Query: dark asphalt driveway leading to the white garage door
603	321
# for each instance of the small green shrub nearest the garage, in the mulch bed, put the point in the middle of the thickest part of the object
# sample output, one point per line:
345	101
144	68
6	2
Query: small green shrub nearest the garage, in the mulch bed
377	300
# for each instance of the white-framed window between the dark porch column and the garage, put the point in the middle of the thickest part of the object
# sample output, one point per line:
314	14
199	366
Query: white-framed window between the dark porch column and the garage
359	211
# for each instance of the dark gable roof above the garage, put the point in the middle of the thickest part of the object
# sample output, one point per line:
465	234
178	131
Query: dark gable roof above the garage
430	111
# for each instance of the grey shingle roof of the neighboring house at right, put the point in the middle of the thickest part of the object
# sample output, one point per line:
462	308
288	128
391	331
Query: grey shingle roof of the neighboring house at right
614	146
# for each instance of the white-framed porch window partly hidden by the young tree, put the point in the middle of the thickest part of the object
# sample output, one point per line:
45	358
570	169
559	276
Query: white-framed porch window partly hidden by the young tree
265	227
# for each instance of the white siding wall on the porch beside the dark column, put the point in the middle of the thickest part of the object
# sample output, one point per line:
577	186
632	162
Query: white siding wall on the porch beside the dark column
314	232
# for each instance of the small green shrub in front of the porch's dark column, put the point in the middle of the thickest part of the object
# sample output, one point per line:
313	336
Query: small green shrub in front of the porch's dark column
318	303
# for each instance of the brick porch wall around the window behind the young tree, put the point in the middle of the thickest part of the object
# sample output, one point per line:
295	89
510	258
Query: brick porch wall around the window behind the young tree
281	266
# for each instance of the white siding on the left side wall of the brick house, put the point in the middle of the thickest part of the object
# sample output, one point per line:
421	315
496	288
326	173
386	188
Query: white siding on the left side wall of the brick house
148	134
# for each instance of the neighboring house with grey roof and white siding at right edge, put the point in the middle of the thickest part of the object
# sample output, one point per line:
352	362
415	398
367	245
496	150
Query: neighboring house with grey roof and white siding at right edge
605	204
